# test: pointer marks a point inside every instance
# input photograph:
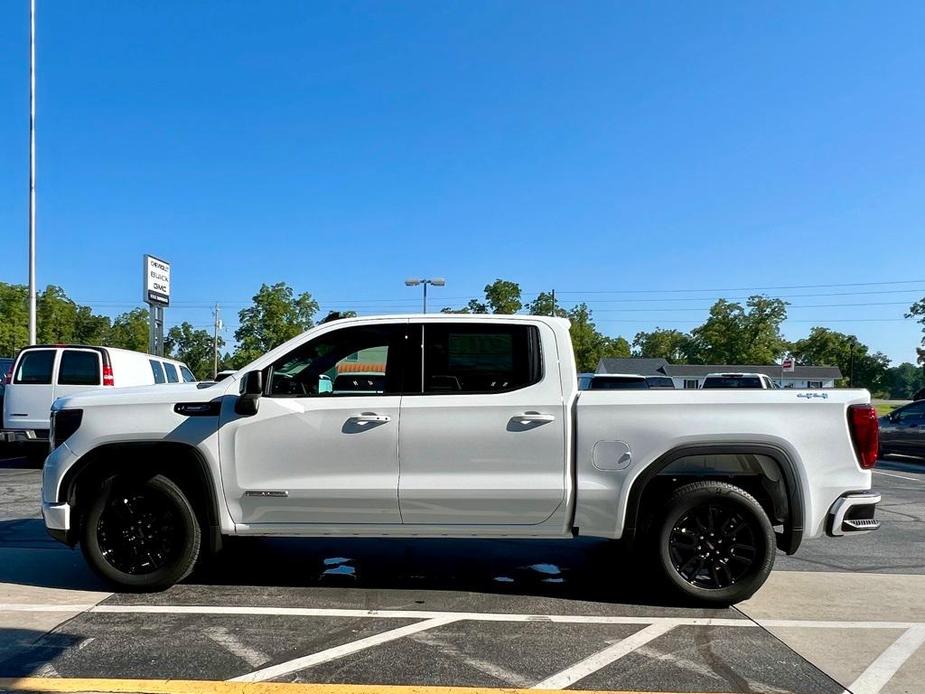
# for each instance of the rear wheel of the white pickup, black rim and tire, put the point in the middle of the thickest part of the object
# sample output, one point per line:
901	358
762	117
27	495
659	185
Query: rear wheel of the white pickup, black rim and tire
725	567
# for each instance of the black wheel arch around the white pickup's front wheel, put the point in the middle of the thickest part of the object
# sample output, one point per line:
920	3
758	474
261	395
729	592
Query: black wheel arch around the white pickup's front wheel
182	463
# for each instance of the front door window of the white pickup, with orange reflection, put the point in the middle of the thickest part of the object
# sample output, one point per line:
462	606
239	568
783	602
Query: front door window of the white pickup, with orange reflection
362	360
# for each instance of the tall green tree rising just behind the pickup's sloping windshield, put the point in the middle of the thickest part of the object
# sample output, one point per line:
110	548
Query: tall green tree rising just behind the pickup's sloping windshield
275	316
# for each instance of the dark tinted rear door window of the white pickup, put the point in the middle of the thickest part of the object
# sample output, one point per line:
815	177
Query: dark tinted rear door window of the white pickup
460	358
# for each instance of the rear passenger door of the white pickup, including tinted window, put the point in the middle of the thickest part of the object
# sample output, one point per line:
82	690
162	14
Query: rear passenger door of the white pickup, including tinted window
483	441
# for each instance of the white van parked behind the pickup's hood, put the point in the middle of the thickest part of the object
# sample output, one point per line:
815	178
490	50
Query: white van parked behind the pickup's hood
42	373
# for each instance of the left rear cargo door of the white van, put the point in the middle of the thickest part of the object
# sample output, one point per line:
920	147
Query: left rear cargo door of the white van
27	399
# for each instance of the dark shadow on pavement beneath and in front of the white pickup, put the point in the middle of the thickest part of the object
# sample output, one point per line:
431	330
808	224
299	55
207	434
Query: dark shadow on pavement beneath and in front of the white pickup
568	569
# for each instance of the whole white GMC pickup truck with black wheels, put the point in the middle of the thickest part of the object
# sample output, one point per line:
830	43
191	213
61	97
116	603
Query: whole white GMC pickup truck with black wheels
475	428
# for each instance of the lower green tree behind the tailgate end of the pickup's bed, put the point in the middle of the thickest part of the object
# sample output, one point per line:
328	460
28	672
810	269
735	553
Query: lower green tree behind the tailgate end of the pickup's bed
825	347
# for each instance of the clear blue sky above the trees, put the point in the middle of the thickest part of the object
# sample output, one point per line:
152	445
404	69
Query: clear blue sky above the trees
610	150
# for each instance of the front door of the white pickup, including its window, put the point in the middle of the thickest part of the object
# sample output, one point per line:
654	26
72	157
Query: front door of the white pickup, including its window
316	454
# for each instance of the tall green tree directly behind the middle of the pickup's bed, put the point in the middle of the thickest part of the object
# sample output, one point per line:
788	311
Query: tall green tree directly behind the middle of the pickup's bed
737	334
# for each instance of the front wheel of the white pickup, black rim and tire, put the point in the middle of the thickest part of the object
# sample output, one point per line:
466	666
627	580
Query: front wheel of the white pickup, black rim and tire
140	533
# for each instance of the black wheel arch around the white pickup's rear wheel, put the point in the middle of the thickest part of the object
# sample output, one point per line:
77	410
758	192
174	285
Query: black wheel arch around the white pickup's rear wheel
792	535
